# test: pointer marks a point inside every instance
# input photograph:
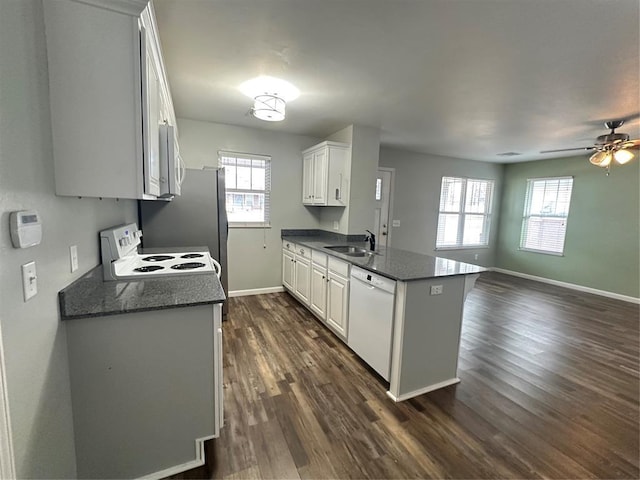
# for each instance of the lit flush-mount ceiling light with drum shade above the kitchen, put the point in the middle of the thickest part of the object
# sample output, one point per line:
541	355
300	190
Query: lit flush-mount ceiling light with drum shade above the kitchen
270	96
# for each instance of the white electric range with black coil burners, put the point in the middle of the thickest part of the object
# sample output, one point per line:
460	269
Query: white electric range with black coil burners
121	260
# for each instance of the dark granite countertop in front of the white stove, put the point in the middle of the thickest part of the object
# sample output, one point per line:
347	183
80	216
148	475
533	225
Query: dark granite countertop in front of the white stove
91	296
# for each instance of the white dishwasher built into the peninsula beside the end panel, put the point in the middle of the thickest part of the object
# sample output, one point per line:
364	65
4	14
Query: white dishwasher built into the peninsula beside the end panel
371	303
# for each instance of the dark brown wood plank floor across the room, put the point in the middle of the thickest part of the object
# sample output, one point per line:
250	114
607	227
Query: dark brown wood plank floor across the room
549	389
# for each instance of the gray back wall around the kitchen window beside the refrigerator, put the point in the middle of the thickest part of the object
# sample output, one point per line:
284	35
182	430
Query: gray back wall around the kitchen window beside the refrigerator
255	253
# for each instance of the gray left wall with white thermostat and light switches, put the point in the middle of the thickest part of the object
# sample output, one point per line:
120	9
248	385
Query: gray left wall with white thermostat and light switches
33	337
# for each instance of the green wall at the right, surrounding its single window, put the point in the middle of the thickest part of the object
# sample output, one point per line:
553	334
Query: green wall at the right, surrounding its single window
602	244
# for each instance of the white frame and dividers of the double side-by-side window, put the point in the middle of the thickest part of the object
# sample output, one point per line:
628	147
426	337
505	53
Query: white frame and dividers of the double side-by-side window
487	214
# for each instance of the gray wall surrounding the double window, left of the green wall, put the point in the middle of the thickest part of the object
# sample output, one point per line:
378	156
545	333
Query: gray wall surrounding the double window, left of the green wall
418	179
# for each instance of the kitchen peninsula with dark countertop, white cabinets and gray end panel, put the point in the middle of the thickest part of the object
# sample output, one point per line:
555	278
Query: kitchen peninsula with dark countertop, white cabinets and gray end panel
424	334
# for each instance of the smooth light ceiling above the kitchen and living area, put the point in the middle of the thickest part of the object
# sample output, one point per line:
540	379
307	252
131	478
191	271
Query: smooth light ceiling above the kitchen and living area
460	78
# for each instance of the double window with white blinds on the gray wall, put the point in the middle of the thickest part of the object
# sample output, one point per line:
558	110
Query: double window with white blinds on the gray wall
465	212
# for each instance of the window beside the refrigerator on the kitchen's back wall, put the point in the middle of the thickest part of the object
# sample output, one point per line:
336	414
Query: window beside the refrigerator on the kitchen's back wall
248	188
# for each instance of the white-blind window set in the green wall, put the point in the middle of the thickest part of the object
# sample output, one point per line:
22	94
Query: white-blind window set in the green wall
546	208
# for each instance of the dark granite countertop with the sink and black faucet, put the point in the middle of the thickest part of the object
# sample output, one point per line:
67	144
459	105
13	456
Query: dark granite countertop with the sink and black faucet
392	263
